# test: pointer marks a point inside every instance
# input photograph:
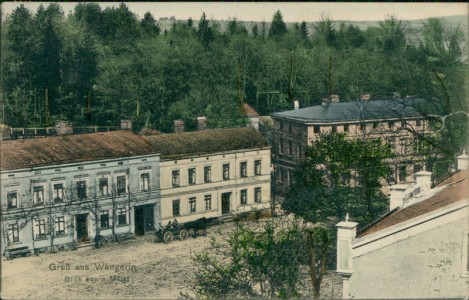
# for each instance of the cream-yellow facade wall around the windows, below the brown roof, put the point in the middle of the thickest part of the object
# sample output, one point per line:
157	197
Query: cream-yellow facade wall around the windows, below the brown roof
217	186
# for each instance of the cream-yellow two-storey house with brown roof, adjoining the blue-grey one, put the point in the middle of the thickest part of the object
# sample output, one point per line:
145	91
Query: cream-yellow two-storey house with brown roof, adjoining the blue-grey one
212	173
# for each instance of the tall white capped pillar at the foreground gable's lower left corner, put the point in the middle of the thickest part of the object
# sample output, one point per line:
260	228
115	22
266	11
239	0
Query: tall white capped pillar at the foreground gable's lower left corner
346	232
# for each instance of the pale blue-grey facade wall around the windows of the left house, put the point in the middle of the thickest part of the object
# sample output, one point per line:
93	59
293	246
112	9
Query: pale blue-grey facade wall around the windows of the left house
26	214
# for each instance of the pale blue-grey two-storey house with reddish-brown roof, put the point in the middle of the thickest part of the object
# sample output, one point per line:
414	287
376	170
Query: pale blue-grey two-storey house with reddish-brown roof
62	190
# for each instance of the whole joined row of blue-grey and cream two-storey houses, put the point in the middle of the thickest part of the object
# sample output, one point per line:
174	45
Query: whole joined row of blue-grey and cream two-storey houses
60	191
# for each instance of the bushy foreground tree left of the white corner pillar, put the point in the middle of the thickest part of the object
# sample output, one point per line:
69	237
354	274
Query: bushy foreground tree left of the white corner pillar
263	260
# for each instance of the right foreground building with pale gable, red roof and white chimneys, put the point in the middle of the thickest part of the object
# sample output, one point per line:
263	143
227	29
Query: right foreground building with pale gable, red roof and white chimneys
418	250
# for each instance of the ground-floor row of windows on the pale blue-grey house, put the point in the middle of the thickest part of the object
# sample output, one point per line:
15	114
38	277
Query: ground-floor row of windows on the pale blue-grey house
41	226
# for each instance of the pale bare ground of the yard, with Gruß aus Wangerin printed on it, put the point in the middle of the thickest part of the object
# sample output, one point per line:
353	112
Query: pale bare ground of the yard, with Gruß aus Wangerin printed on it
145	270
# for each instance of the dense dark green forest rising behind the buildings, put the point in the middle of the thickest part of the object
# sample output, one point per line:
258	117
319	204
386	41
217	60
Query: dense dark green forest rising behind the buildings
96	66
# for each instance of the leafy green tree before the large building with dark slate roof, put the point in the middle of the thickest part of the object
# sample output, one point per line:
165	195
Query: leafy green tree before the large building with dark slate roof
340	176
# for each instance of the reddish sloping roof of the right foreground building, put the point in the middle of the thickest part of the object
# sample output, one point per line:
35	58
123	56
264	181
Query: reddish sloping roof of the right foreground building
457	189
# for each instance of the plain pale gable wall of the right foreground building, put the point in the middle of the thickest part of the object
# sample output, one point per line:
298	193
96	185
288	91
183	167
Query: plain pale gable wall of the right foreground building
427	265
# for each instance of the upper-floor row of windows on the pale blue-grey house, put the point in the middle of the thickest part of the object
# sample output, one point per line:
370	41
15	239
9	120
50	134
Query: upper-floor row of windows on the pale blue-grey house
58	191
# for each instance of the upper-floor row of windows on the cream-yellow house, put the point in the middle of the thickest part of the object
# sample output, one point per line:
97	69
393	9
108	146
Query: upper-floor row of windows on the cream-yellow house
191	173
